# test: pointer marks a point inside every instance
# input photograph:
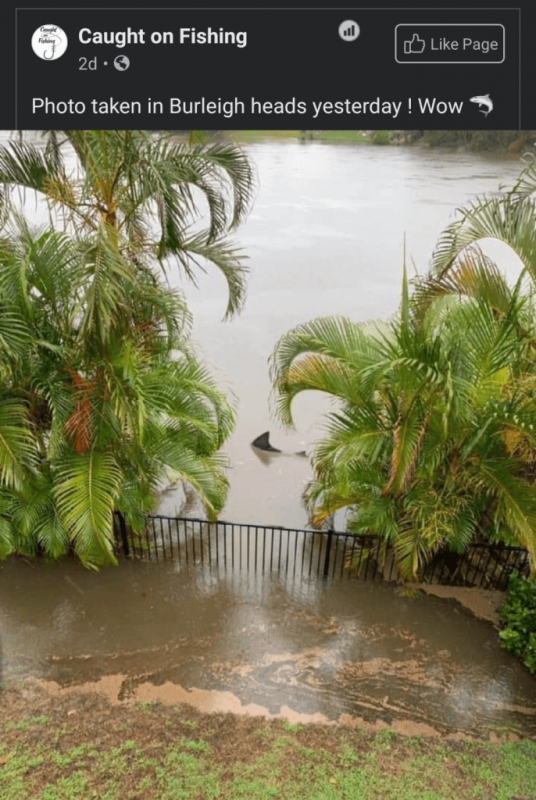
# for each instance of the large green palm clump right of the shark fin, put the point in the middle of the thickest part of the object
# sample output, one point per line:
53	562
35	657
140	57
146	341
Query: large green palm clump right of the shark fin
432	442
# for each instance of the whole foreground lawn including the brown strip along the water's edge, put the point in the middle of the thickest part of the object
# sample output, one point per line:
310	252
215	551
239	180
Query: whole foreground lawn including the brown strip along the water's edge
80	747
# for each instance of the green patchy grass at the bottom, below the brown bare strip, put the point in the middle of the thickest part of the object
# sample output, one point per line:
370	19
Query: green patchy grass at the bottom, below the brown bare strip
352	765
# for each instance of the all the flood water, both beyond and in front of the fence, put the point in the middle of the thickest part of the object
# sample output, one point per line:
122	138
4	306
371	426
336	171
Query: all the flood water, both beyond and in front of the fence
325	236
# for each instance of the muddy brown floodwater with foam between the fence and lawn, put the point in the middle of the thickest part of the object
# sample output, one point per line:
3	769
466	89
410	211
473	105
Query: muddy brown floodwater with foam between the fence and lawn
302	648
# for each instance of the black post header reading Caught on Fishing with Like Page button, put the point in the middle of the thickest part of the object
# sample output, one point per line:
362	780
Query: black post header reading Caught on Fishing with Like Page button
241	69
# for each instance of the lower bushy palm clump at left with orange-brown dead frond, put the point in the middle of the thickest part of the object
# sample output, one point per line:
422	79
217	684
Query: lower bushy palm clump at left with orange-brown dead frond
86	428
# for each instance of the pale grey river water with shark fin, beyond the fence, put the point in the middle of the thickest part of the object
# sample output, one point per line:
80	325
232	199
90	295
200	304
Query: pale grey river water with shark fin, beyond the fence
325	236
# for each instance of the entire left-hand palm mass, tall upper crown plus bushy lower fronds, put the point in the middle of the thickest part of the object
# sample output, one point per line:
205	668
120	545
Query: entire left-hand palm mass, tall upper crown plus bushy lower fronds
101	393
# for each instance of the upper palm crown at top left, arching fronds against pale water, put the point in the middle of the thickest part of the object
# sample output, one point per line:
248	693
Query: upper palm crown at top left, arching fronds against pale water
138	195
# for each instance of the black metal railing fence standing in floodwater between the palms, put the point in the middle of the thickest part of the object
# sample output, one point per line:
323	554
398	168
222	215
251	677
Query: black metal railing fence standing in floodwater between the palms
296	552
